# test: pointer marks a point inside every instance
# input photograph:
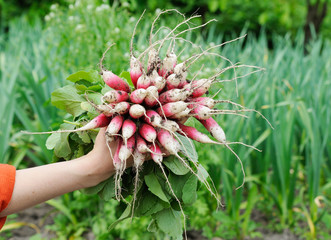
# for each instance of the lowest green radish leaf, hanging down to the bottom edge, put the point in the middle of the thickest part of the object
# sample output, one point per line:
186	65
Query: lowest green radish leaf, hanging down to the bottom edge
169	221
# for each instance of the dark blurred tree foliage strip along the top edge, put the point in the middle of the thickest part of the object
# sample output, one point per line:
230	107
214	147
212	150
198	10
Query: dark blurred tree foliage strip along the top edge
278	16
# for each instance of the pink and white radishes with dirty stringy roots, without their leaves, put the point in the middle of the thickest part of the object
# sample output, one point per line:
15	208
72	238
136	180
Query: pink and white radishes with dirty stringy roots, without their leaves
145	122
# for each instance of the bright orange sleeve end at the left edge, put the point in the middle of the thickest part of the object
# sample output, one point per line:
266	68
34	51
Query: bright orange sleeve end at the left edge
7	182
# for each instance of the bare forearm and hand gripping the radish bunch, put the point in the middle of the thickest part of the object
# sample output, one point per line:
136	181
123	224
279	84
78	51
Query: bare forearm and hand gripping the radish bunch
39	184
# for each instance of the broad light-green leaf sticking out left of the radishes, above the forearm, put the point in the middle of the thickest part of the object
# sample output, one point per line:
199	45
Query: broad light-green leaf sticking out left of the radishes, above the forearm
67	99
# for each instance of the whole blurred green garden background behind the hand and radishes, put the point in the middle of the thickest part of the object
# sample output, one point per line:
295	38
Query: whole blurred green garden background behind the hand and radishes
287	186
